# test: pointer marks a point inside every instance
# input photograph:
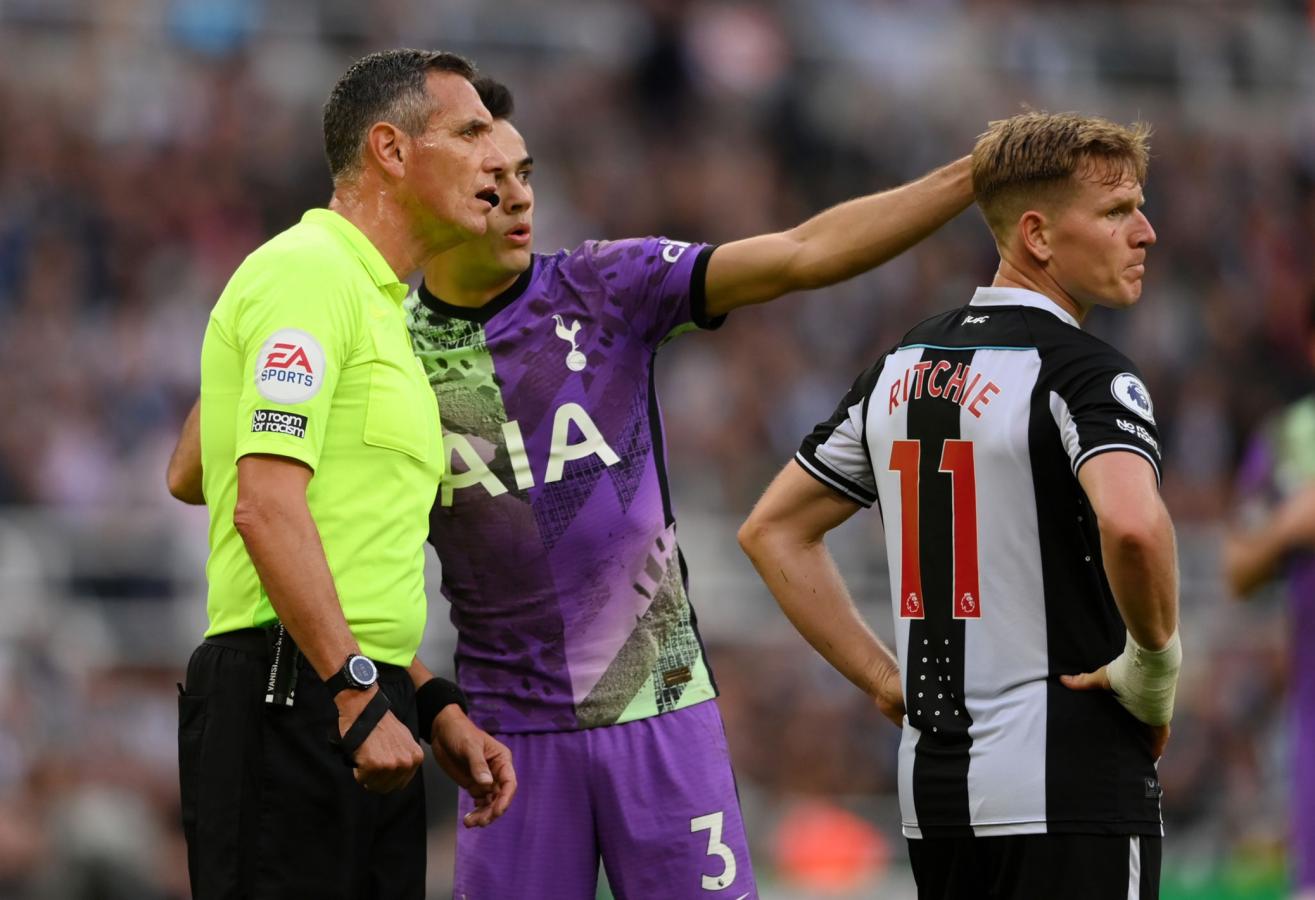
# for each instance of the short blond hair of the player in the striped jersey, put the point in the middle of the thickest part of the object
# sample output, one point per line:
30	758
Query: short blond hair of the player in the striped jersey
1034	157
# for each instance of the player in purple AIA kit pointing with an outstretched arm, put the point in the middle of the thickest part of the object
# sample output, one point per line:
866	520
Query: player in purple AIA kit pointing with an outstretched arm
577	643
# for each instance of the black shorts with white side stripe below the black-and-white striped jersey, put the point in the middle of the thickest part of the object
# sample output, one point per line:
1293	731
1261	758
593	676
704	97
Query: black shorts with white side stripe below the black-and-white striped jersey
1038	868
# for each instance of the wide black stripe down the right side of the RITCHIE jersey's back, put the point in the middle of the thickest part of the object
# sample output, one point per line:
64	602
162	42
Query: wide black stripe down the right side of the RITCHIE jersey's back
1100	776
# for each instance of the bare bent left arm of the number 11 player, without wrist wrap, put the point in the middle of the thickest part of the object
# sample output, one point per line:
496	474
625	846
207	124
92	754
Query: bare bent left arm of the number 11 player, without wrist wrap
784	537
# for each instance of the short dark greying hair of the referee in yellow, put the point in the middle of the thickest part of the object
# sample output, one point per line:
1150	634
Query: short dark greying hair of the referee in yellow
386	86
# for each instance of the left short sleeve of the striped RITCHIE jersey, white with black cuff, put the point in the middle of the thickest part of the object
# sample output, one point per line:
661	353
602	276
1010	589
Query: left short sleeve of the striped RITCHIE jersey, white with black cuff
837	451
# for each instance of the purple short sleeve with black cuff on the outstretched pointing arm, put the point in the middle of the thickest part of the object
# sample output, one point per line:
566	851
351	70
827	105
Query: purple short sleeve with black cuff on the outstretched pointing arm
658	284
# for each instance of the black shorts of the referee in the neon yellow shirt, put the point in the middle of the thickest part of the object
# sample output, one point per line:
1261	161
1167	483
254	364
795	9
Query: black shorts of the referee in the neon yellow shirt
270	810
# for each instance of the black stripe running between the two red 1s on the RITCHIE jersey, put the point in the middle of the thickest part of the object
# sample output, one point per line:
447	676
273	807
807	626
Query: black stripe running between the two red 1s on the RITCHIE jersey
936	680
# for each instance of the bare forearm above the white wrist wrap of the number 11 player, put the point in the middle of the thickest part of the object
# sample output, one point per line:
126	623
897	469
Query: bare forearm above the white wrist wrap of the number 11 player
1143	573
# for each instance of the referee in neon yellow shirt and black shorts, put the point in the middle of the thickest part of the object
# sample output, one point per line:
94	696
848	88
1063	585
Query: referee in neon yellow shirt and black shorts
322	453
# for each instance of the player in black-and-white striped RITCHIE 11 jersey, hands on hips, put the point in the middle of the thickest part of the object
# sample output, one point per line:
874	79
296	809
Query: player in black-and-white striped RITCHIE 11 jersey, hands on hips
1033	570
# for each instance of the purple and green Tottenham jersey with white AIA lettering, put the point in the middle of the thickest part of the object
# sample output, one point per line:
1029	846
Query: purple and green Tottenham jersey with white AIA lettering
554	526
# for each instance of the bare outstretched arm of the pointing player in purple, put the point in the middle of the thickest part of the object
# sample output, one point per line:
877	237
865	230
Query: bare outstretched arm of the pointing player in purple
838	244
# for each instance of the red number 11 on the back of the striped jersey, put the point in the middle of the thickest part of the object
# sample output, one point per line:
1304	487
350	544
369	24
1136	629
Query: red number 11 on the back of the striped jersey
957	461
